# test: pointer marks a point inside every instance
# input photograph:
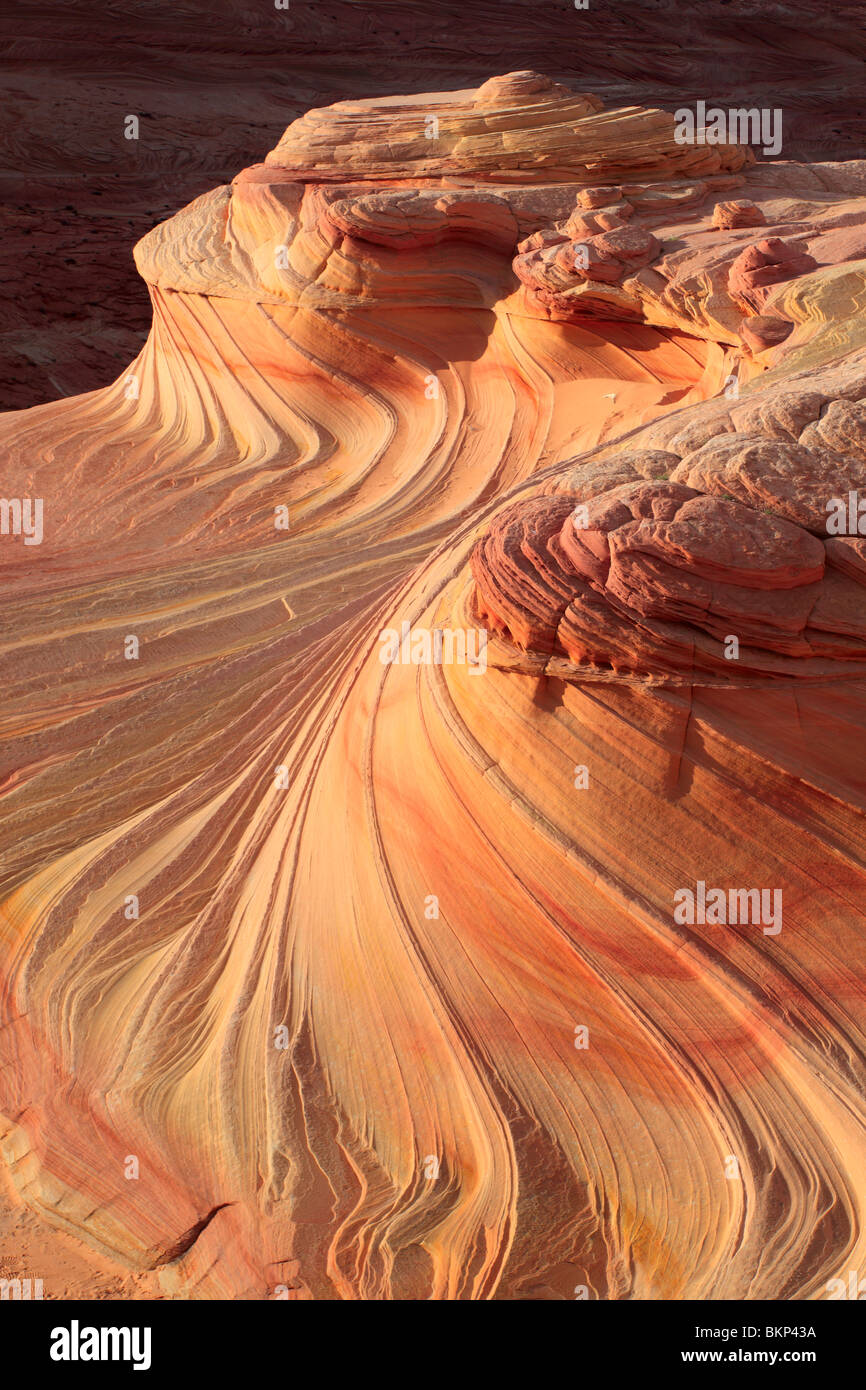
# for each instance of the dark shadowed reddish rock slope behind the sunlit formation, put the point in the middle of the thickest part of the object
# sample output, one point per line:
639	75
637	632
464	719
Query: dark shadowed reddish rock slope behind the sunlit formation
215	94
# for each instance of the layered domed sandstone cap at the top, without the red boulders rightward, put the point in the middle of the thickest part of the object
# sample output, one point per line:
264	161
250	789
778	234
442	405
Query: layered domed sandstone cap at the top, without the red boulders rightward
498	166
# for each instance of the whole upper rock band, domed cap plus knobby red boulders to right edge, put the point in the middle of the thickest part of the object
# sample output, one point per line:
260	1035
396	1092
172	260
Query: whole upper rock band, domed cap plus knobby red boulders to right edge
516	184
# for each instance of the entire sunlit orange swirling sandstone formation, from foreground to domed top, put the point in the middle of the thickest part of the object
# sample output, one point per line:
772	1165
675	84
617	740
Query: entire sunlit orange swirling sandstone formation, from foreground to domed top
332	970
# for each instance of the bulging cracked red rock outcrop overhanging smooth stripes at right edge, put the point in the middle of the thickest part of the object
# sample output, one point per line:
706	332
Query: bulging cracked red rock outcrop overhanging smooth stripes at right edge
648	565
